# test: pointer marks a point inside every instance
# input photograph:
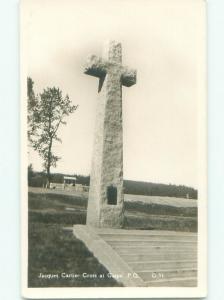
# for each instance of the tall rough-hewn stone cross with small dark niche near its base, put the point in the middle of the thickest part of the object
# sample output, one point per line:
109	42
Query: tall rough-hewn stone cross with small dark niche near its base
106	199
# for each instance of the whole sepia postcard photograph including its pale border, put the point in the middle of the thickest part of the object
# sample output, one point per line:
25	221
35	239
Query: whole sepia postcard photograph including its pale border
113	113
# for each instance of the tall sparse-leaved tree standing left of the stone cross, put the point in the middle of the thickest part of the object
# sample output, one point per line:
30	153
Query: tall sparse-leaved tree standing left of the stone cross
46	112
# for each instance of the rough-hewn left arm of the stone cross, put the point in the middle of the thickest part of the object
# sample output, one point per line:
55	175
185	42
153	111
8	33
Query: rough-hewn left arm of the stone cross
95	66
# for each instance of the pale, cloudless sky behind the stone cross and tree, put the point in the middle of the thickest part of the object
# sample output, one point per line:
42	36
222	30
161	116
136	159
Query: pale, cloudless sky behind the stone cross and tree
163	40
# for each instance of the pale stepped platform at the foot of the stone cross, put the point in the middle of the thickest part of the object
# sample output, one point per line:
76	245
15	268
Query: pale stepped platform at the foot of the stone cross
150	258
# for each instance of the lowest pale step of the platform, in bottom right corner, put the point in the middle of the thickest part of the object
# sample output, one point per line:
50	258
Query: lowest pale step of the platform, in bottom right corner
174	282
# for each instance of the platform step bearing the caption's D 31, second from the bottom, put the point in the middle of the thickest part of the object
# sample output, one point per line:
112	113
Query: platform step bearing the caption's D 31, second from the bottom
167	274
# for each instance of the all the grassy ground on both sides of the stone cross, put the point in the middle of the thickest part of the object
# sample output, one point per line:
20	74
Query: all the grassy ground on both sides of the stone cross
55	252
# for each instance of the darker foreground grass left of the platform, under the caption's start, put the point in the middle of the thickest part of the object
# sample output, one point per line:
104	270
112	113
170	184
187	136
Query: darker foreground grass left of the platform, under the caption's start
53	251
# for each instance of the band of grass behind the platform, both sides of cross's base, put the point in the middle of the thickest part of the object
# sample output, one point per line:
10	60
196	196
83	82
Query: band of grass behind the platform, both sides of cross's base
51	208
